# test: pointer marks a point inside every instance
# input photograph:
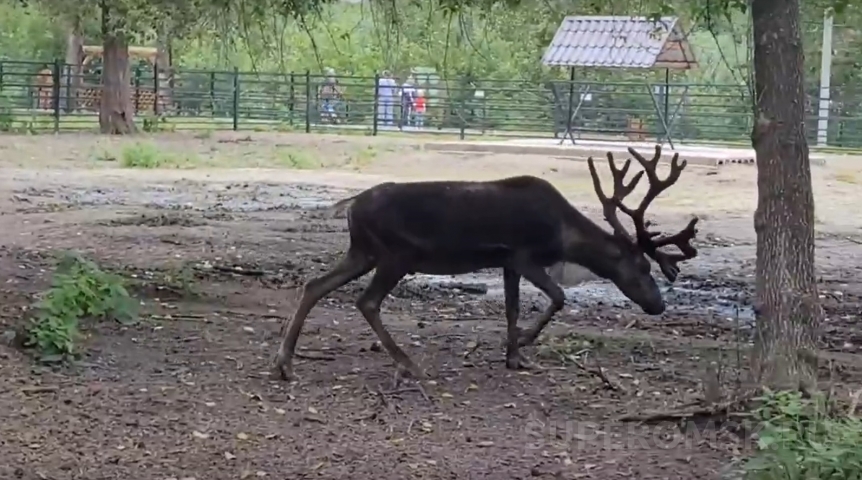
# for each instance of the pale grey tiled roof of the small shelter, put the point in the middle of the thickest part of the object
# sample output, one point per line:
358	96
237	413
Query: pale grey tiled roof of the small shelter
620	42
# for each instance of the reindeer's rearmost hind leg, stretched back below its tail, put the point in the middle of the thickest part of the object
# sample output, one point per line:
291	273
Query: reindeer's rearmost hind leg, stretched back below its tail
351	267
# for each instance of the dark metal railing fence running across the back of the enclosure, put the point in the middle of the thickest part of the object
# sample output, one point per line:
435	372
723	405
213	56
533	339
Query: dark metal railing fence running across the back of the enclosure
37	96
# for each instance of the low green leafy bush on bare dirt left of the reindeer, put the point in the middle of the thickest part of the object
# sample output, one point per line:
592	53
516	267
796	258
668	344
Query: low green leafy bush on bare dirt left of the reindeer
80	291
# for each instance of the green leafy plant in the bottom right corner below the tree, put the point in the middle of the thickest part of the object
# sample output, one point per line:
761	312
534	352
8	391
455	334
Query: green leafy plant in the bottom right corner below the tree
801	439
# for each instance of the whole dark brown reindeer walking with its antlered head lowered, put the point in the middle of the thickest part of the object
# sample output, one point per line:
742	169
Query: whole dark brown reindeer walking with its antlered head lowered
520	224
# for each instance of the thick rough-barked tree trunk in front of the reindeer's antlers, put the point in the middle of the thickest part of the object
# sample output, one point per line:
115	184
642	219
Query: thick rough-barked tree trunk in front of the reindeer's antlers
788	308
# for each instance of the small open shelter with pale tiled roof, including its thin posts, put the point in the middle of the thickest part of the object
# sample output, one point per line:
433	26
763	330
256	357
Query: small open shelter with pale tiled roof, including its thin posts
621	42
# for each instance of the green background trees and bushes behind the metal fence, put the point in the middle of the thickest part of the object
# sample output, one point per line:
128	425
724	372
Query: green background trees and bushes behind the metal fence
457	41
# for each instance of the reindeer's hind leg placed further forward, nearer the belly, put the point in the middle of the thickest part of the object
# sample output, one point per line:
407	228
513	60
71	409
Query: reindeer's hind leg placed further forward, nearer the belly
385	279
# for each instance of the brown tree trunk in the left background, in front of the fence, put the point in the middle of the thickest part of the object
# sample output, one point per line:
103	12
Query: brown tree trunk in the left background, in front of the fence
116	112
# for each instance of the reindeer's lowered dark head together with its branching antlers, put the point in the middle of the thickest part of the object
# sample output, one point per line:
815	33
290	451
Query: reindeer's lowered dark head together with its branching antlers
630	269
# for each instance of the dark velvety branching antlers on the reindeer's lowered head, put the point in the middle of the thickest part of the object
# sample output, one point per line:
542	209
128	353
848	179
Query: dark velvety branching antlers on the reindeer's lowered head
645	239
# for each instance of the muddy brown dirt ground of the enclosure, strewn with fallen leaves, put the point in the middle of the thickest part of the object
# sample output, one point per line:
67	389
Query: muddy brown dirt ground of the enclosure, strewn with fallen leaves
184	394
